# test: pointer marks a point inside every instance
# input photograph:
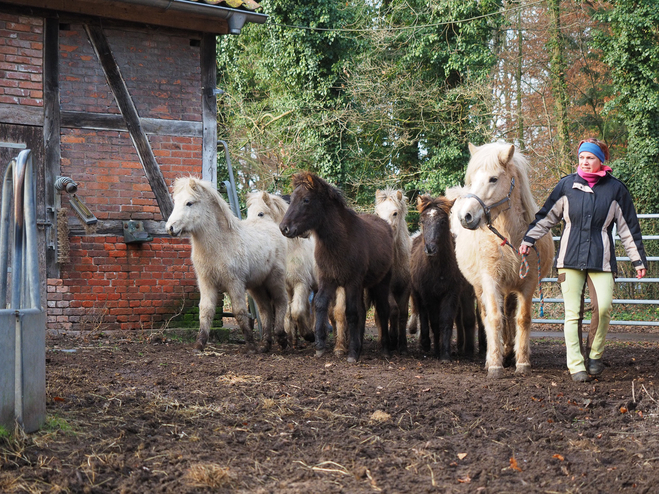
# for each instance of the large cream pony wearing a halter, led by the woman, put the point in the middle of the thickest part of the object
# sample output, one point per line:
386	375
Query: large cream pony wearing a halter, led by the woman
496	203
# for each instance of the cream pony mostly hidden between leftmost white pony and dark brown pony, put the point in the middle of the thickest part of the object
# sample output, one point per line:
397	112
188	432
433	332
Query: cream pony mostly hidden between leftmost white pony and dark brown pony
300	266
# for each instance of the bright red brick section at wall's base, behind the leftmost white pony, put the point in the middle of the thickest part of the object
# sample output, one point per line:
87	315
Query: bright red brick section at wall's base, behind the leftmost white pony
113	285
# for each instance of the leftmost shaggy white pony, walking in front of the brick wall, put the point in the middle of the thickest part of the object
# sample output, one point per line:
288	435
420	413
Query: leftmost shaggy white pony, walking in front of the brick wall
231	256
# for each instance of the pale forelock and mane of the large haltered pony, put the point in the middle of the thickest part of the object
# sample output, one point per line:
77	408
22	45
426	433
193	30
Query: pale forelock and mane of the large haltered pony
487	157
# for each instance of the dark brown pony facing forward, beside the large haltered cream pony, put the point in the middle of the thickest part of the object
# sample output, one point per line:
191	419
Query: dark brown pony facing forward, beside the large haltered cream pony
441	294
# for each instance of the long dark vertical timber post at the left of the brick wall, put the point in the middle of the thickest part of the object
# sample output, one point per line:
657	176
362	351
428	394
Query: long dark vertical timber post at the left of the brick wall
51	137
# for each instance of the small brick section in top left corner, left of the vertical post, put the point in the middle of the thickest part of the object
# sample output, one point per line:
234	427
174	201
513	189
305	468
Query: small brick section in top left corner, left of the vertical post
21	49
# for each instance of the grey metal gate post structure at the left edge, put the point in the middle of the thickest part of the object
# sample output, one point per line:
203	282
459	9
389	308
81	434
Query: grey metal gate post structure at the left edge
22	319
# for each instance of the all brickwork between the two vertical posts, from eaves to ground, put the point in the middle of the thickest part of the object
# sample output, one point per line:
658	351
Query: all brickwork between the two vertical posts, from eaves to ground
108	284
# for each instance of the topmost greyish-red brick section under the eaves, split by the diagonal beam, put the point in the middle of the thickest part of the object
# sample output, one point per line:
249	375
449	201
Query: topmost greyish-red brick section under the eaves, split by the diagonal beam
161	71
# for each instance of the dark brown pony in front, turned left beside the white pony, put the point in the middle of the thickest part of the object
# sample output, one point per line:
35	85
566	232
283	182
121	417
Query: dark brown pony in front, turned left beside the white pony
353	250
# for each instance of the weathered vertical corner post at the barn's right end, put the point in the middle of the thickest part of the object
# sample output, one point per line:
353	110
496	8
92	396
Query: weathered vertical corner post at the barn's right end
207	57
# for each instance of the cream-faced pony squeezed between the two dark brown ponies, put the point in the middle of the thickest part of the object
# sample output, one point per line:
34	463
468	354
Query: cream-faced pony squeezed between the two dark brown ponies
391	206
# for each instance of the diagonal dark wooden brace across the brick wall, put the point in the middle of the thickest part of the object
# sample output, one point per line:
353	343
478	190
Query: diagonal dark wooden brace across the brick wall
129	112
